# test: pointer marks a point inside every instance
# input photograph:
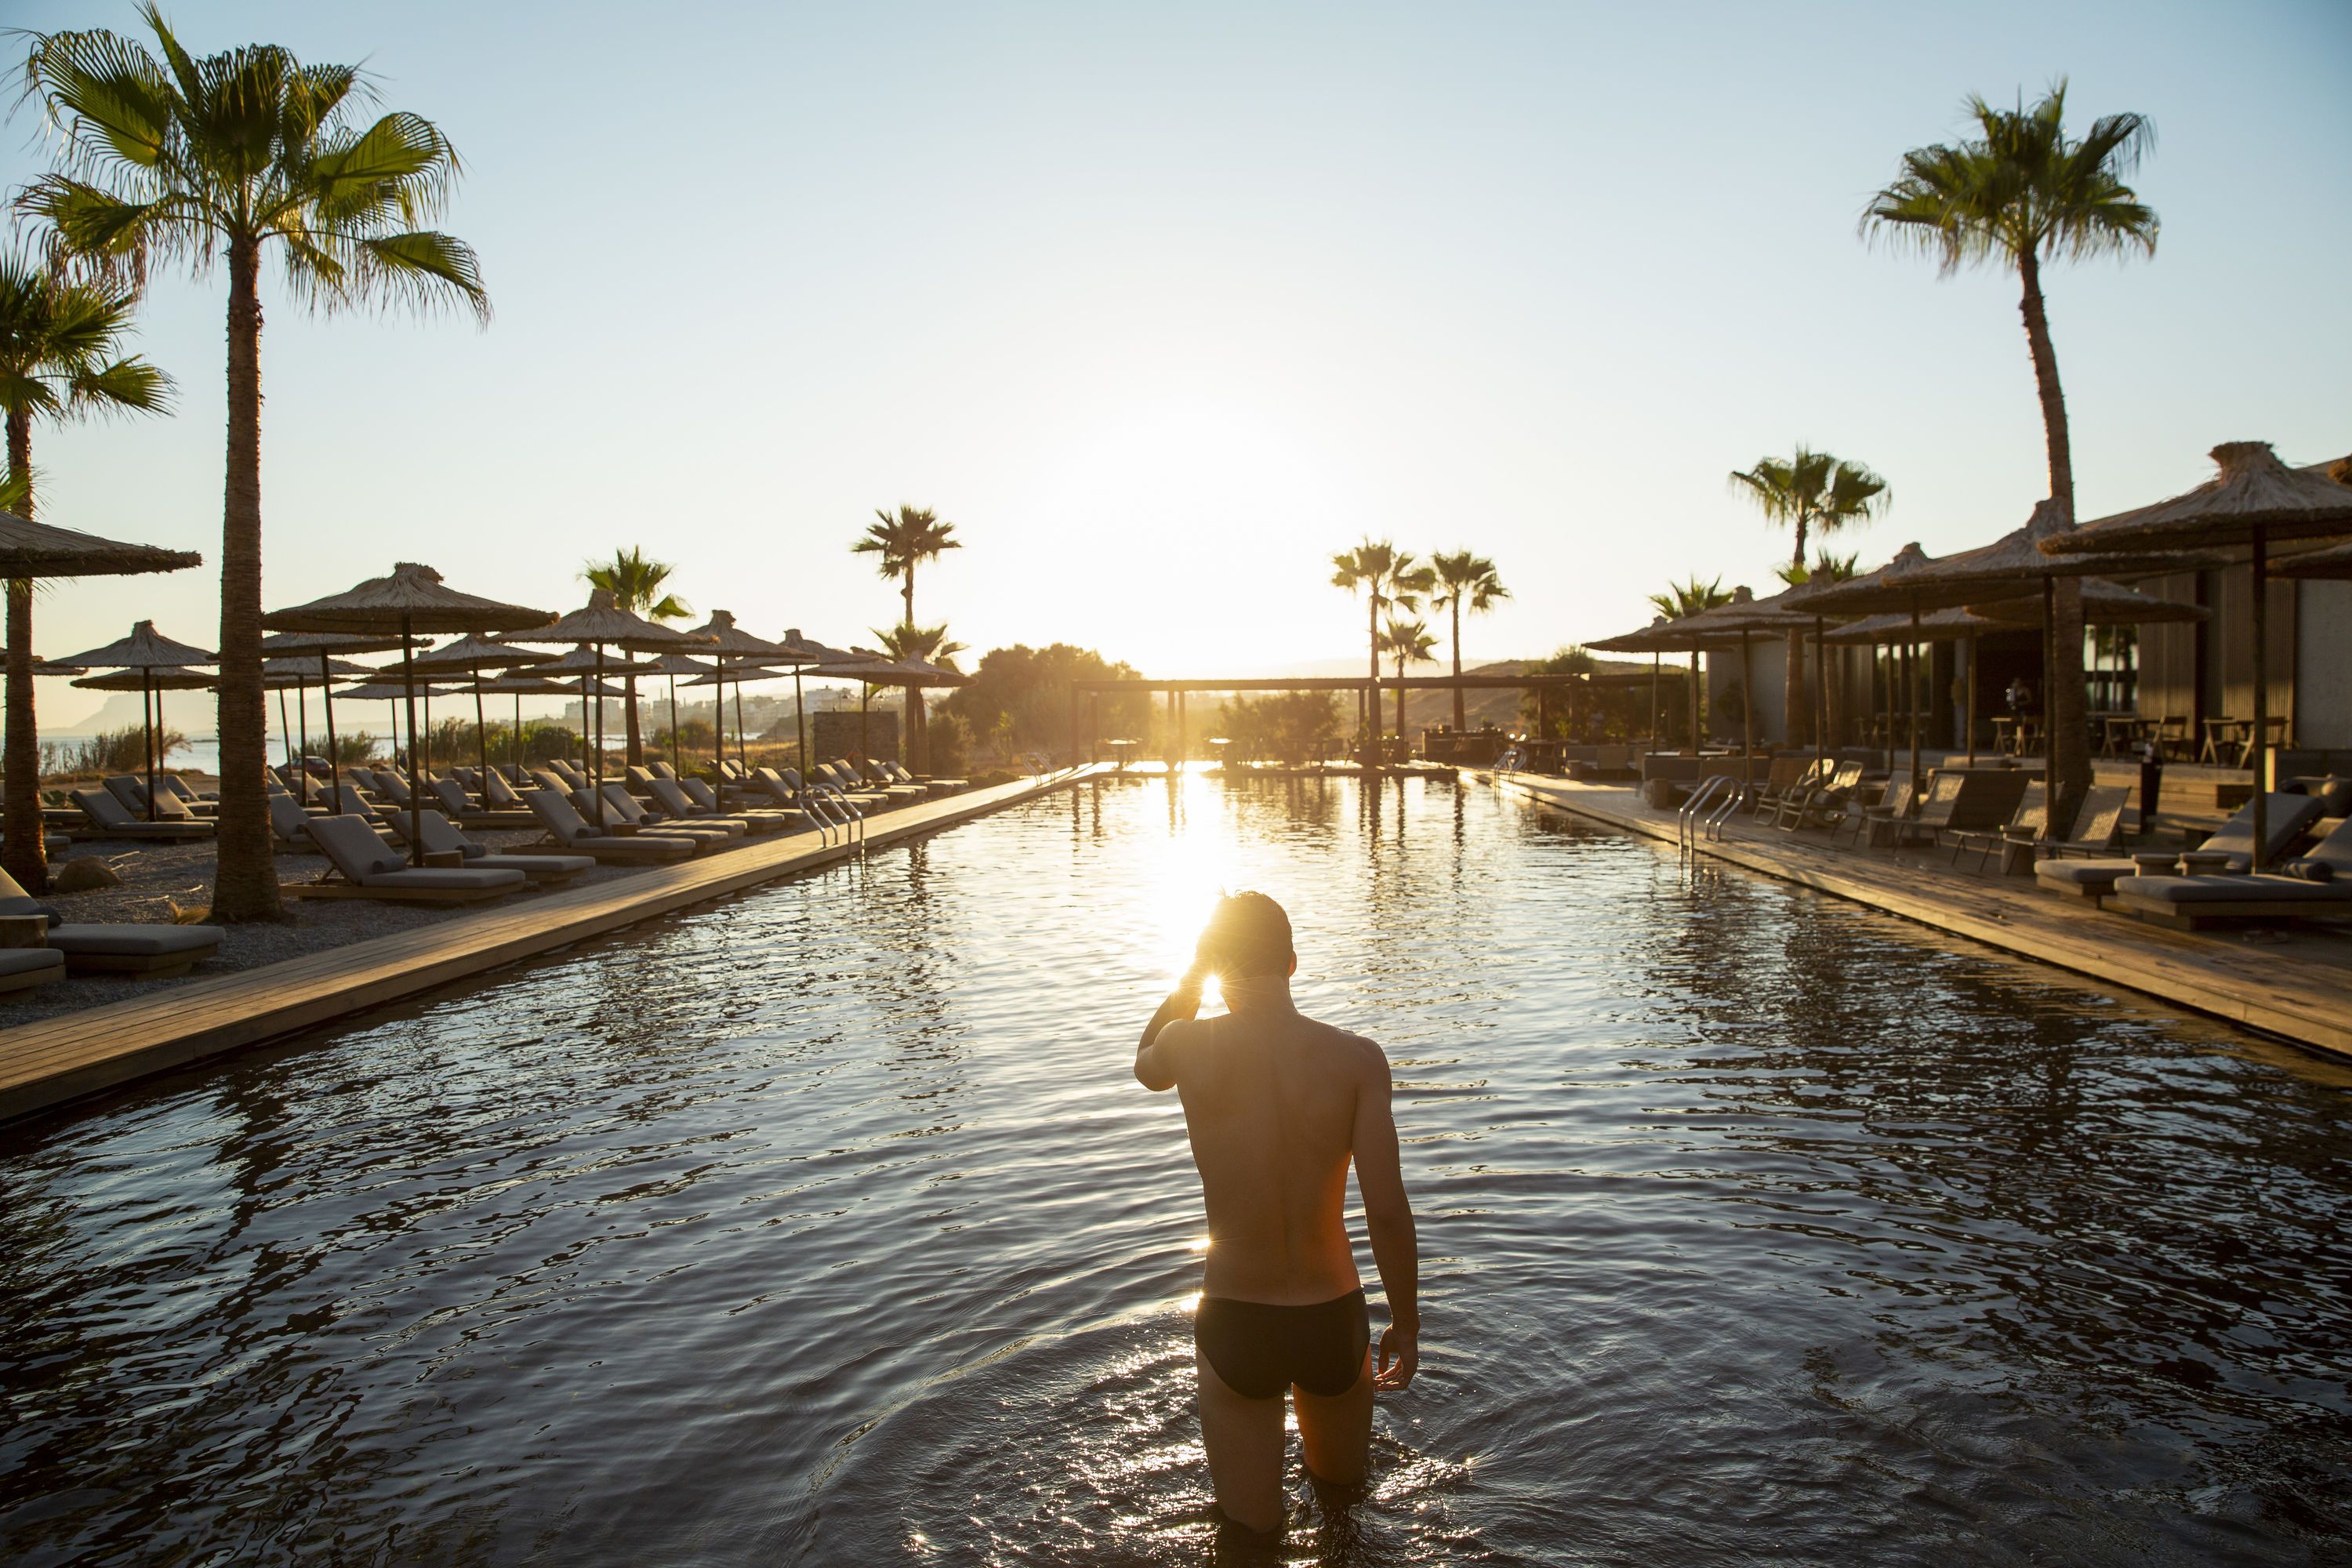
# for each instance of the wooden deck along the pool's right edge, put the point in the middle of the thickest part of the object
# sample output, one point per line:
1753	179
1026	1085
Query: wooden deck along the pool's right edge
2297	989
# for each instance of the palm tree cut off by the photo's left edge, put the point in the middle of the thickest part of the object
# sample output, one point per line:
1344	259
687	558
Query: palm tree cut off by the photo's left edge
60	361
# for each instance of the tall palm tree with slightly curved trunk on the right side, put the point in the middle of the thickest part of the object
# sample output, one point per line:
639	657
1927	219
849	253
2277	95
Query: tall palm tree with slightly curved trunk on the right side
2017	196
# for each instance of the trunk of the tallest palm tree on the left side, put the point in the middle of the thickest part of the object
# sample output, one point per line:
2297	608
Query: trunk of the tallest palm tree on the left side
246	878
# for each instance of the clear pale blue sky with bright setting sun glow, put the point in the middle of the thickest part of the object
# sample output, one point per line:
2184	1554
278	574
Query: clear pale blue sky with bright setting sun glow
1165	304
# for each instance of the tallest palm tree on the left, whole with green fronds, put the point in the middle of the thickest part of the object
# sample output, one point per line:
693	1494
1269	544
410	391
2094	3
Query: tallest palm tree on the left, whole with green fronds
241	154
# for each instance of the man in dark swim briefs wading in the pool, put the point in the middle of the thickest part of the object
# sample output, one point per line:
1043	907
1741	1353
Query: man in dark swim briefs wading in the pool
1276	1106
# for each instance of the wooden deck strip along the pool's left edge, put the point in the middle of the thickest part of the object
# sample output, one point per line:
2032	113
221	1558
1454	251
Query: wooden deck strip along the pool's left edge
65	1059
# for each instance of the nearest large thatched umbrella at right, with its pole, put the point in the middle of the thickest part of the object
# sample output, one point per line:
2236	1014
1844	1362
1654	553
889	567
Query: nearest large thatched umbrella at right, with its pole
2254	502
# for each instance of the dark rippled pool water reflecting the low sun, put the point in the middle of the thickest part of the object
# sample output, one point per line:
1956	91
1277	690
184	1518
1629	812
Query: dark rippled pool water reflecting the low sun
829	1226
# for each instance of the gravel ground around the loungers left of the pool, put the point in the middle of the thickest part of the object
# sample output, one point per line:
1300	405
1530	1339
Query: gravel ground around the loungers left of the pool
161	883
